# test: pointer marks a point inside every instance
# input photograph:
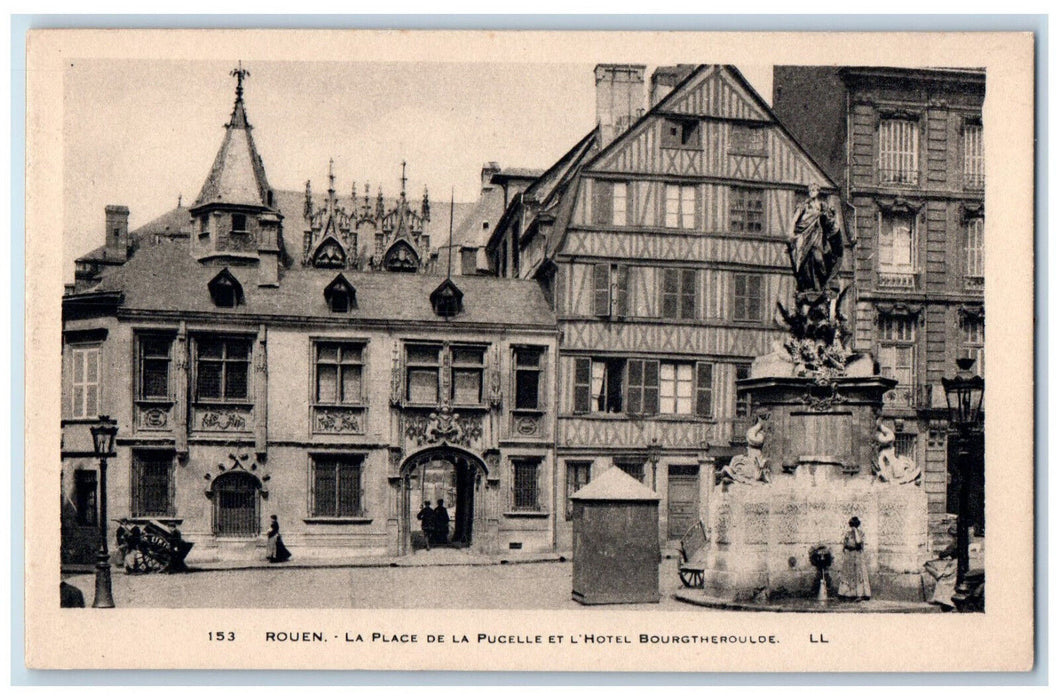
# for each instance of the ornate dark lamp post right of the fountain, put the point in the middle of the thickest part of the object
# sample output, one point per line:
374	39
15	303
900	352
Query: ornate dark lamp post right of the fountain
964	398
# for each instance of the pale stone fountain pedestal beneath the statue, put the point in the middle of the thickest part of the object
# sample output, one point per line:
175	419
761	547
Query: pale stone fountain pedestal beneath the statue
820	446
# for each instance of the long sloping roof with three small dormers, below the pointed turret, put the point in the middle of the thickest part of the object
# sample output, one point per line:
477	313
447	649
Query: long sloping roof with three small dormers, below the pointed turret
166	278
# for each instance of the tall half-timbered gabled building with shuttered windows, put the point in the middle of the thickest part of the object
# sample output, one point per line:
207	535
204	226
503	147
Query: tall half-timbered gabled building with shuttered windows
660	240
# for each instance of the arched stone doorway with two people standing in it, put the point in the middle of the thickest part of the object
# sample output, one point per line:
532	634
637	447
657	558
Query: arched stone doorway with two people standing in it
461	480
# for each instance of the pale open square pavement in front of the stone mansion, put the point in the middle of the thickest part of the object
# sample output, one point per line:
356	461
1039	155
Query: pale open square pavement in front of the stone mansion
516	586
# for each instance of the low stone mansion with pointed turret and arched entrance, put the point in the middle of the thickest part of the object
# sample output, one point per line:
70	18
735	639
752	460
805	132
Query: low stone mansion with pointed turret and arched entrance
266	353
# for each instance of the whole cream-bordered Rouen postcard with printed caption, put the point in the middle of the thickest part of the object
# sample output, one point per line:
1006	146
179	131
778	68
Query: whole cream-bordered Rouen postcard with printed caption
512	351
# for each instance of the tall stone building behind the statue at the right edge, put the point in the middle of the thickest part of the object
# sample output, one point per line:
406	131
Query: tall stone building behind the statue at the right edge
906	146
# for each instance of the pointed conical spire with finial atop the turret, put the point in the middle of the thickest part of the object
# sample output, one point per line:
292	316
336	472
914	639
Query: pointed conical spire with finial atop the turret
238	176
